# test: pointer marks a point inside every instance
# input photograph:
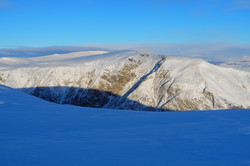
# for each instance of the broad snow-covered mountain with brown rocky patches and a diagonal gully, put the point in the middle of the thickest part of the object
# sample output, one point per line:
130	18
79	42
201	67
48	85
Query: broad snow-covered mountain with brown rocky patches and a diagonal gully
128	80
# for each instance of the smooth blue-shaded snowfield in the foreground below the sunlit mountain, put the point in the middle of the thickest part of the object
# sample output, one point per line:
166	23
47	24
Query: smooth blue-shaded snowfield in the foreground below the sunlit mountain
36	132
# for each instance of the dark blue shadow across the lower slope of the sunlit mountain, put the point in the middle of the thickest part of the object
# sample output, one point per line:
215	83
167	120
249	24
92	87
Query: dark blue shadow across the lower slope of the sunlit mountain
87	98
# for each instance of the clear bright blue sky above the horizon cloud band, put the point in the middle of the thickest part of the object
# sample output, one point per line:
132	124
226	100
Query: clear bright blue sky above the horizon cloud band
40	23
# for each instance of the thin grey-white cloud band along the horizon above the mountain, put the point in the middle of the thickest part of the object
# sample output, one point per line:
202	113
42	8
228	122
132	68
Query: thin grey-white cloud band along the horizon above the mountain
208	51
